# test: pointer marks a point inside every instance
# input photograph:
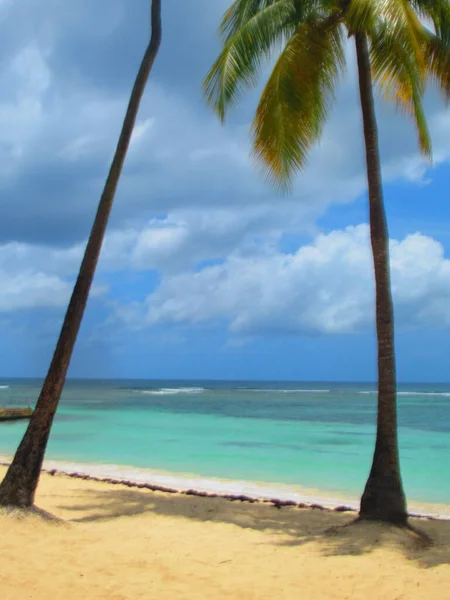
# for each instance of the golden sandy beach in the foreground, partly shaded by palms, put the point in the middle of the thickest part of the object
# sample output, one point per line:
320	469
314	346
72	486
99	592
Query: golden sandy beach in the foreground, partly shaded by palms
119	543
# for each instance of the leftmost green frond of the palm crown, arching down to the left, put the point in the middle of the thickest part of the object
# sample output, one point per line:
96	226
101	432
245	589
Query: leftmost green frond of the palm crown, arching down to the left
240	61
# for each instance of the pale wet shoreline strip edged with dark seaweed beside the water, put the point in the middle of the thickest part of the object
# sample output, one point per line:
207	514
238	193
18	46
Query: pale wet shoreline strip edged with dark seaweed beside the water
278	495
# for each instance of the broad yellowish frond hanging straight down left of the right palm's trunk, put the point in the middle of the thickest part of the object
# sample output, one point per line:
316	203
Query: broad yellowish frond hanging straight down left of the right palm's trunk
295	102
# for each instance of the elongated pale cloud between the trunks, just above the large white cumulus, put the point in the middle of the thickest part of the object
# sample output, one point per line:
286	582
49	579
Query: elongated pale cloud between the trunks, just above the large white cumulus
186	237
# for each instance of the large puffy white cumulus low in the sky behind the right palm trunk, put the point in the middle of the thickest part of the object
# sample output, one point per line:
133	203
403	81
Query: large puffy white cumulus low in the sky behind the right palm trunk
325	287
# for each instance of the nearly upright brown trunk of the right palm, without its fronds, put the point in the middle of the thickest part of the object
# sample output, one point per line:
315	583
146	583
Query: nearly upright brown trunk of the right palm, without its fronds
383	498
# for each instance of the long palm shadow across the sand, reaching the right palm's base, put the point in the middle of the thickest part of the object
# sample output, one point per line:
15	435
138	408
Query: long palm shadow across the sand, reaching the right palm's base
289	526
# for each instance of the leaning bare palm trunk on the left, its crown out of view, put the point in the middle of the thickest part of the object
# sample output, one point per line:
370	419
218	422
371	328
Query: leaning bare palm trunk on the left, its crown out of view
19	485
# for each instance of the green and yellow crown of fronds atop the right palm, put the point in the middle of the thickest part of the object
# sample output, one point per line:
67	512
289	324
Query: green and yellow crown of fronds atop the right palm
310	36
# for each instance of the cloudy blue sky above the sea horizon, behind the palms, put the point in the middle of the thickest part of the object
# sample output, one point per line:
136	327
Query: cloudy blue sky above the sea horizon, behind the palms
207	272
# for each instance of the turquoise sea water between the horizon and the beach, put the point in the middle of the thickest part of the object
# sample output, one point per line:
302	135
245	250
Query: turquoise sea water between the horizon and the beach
312	435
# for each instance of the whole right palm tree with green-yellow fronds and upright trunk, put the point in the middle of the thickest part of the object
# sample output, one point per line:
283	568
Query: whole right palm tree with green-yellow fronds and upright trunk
397	53
